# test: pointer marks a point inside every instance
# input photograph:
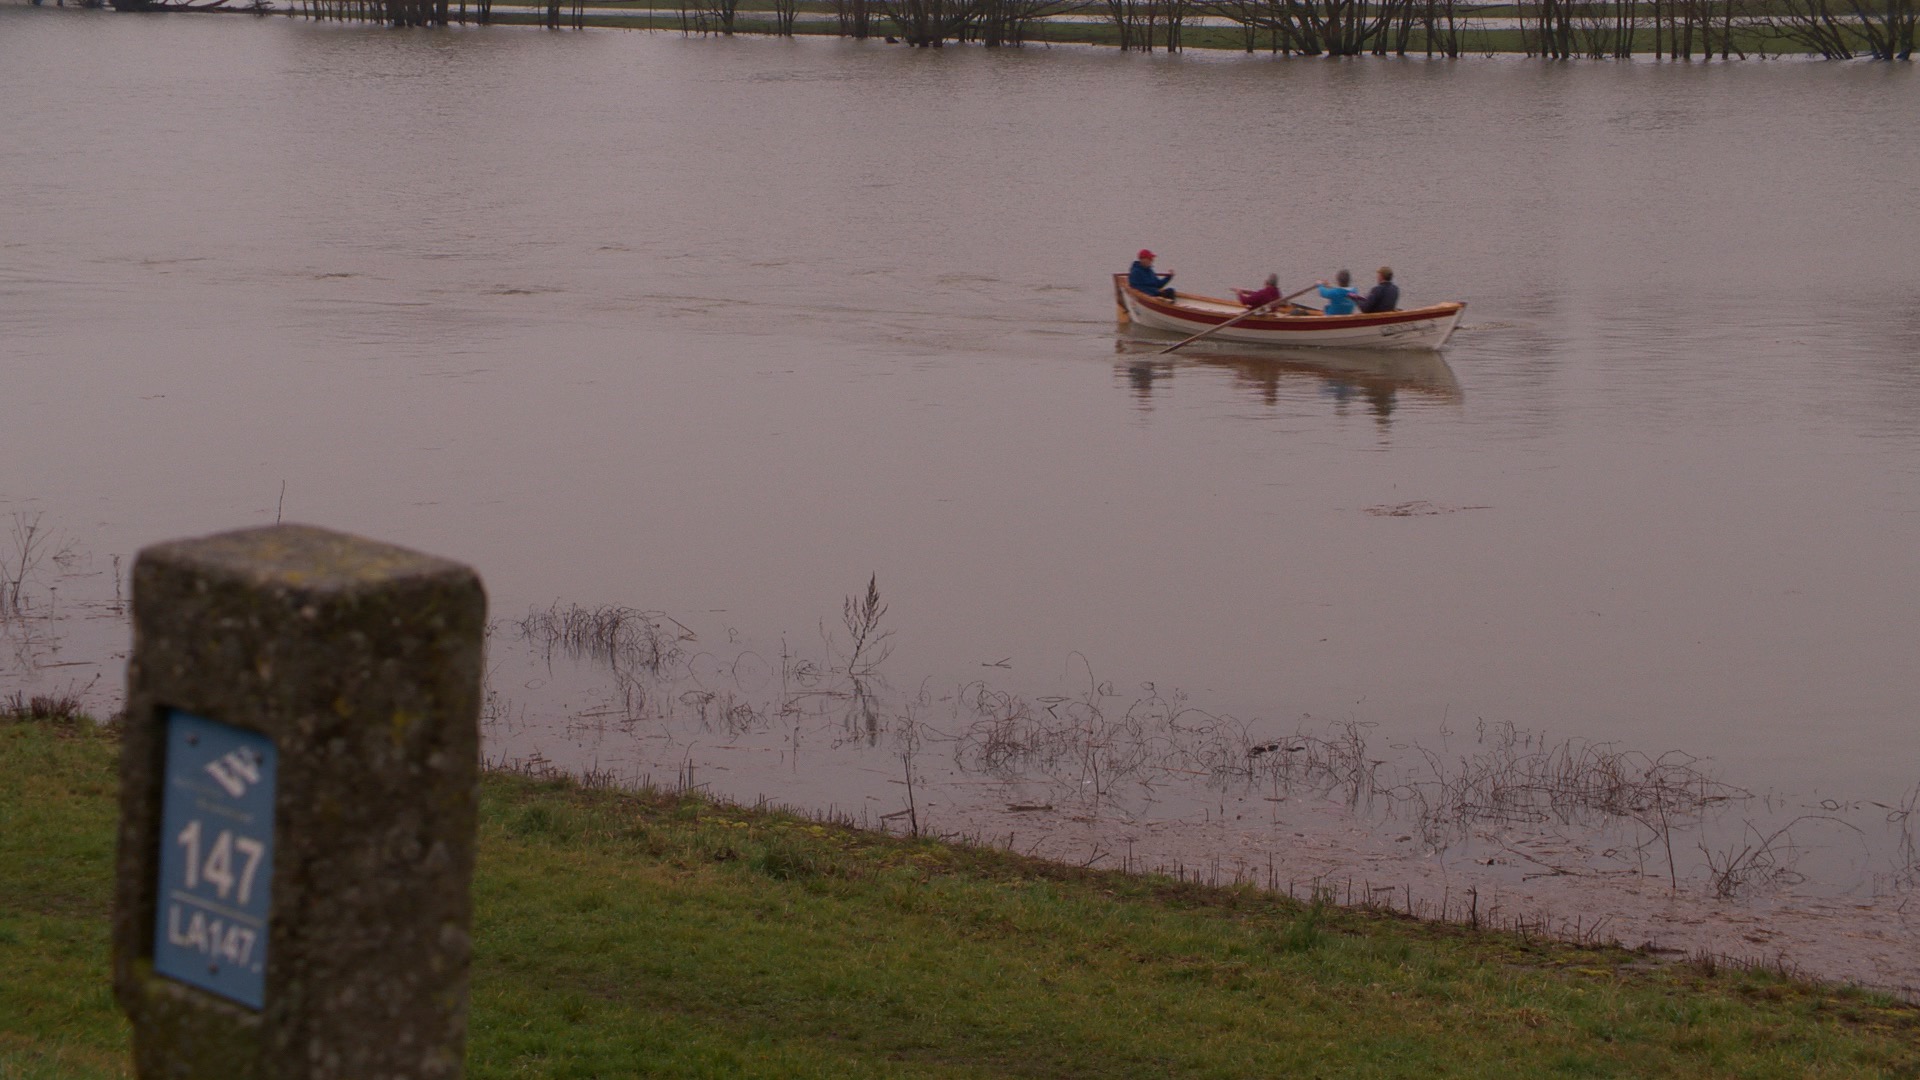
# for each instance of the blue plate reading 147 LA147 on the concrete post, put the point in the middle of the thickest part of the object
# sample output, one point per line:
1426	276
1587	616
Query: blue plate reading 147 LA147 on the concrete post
216	858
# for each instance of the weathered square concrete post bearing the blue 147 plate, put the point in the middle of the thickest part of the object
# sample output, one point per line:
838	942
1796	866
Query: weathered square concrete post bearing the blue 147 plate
299	787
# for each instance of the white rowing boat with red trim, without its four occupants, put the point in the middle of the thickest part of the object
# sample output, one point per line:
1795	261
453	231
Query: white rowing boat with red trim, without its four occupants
1416	328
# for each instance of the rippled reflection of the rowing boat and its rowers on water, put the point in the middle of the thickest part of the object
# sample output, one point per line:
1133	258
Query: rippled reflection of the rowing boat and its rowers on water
1376	378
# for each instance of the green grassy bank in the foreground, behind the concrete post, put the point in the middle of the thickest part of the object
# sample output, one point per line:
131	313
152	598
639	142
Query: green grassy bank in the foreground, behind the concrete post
631	935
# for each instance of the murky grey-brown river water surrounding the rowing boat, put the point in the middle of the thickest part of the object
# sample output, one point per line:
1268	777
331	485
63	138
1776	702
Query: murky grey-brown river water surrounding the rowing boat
727	328
